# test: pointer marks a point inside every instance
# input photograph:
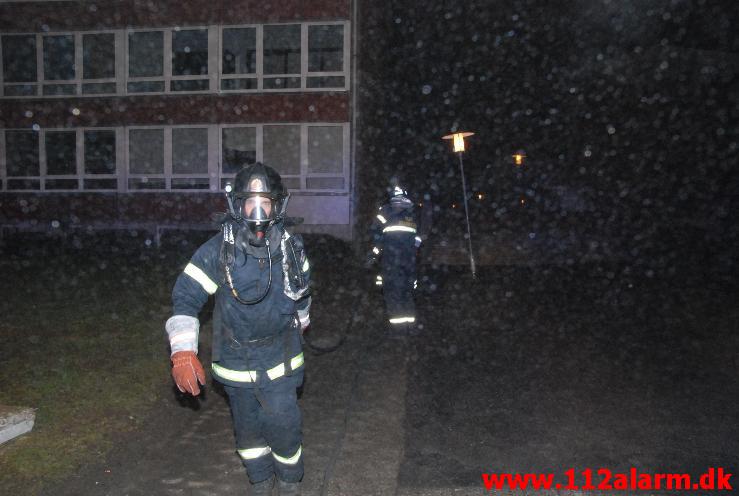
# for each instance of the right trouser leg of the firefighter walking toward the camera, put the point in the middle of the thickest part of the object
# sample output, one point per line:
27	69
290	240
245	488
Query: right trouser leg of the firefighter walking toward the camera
283	429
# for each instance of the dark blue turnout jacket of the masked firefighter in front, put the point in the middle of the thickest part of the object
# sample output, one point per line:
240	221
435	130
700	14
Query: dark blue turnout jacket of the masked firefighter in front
256	344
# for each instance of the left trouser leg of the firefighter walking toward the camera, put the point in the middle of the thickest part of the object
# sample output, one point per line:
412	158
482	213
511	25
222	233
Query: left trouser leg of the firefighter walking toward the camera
250	441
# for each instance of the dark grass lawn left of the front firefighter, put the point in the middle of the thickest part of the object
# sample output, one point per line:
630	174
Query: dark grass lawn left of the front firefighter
83	343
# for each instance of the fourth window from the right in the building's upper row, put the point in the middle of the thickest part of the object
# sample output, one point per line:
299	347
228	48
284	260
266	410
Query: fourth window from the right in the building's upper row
190	58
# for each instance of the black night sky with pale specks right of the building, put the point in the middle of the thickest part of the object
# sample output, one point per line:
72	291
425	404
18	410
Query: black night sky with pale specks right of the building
627	111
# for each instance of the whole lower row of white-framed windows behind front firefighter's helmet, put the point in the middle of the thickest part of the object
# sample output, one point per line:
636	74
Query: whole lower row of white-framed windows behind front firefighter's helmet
309	157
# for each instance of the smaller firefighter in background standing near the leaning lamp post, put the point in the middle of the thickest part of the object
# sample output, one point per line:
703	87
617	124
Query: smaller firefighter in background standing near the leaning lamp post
395	242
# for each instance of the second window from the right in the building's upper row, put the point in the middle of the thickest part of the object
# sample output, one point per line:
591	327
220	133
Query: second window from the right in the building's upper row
282	56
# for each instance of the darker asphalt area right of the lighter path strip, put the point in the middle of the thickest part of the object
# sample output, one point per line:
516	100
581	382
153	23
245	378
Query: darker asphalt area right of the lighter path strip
544	369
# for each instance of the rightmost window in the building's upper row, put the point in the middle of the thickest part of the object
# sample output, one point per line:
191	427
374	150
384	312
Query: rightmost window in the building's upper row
326	56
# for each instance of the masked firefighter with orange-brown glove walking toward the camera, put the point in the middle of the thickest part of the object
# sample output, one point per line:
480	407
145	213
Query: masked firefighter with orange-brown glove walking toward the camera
259	274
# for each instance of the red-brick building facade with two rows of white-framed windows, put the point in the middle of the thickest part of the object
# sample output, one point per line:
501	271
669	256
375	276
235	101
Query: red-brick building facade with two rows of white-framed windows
134	114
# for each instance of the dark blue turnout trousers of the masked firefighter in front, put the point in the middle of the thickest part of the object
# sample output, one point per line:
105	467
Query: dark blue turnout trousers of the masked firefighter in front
269	435
